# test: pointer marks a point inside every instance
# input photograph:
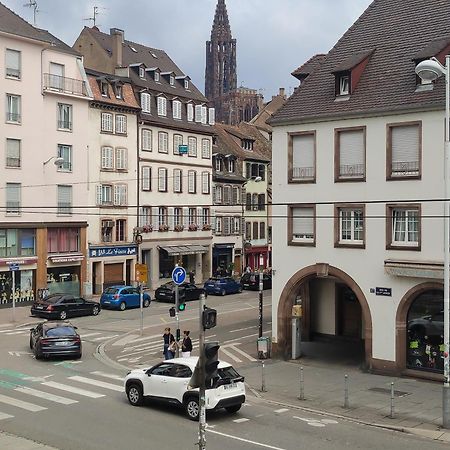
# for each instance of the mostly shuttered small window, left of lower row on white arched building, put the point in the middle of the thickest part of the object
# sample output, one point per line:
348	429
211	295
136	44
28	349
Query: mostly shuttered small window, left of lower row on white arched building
301	225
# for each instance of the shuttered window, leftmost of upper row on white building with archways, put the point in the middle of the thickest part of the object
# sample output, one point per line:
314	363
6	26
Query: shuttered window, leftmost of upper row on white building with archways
302	156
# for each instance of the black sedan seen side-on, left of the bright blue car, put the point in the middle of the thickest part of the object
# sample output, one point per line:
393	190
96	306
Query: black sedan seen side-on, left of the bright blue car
62	306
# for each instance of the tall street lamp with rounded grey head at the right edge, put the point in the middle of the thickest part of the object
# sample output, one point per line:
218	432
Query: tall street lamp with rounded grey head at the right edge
429	71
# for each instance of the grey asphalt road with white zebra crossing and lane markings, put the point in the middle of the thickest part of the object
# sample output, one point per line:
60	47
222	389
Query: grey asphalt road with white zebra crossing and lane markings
80	405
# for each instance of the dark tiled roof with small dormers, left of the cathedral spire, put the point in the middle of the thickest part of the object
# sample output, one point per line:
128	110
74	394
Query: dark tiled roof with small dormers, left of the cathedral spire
134	53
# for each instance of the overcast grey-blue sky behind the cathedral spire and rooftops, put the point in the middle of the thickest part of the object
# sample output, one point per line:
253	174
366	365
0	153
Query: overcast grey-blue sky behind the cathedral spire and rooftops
273	36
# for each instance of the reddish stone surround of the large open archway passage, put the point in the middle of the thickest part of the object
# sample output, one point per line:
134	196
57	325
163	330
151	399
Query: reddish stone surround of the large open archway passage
289	292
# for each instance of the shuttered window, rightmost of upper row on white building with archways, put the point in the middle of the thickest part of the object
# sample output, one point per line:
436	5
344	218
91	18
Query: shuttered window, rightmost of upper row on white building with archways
404	152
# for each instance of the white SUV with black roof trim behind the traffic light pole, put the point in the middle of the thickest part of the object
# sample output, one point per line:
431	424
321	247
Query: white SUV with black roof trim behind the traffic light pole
169	381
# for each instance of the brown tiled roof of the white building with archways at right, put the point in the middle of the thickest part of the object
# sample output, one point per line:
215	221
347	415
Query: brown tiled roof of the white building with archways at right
397	31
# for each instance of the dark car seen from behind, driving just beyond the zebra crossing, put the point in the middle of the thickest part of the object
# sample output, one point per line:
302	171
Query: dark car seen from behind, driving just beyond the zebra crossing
55	339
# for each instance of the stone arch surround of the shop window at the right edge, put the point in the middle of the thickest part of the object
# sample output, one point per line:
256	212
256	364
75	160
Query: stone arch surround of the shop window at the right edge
401	322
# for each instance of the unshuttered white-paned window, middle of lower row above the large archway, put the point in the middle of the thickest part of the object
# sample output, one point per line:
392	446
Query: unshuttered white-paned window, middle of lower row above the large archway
349	226
